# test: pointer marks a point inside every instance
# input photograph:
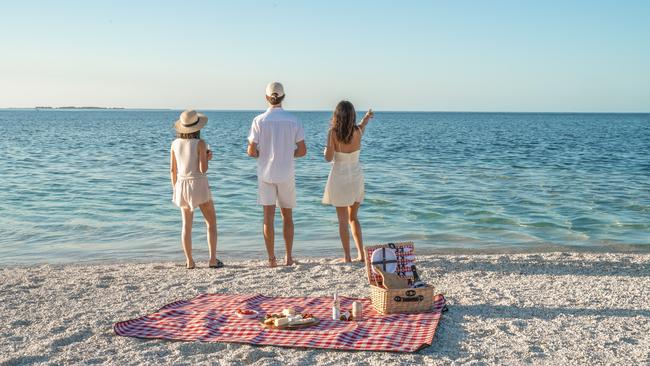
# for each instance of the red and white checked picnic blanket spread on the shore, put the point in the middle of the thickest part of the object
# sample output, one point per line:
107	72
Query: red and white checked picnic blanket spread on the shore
211	318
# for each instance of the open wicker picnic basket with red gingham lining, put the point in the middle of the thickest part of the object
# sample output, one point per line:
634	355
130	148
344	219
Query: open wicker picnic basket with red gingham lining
391	301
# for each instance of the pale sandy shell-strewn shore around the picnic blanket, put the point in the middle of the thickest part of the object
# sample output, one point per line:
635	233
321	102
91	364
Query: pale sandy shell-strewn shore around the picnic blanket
551	308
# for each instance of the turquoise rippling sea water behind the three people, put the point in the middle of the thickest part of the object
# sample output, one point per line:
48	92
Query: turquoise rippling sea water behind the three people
94	185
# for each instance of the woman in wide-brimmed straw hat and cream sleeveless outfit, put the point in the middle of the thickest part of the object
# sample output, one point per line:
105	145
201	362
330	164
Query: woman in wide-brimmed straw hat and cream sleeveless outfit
188	166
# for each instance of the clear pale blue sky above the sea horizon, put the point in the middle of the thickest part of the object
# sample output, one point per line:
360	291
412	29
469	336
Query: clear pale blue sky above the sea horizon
547	56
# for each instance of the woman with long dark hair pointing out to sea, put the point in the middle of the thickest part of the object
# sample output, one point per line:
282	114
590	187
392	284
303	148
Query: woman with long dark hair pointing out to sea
344	188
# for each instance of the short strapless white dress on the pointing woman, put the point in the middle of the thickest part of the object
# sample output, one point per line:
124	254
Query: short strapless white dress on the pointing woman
345	182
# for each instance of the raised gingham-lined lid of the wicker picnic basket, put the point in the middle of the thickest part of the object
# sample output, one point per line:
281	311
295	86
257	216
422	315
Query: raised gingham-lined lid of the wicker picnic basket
392	258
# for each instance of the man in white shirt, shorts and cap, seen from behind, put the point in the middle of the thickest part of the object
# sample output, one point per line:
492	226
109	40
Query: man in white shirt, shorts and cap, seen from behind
276	138
